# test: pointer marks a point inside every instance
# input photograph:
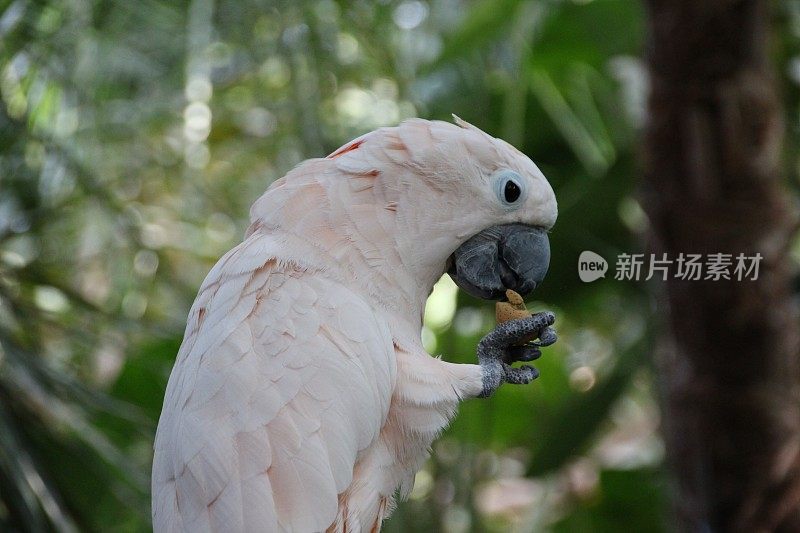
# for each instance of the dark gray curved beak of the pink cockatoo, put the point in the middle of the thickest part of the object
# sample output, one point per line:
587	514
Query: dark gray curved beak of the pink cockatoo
510	256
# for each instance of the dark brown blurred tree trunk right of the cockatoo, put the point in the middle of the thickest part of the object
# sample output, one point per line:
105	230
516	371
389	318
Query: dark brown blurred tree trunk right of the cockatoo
729	358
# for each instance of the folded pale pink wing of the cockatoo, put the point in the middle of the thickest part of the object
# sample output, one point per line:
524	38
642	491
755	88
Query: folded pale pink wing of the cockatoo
282	379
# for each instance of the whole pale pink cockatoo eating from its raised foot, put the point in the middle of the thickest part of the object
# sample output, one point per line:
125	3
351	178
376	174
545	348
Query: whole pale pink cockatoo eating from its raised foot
302	398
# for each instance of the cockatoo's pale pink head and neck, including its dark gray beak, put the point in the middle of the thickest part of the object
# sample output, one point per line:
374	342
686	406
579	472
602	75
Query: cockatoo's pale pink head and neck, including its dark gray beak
400	206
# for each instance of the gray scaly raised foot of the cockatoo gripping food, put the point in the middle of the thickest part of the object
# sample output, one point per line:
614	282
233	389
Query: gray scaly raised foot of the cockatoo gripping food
496	352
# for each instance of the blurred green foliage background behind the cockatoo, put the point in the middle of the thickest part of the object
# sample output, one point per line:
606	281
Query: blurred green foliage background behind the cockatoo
135	135
